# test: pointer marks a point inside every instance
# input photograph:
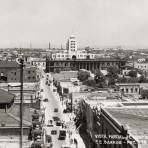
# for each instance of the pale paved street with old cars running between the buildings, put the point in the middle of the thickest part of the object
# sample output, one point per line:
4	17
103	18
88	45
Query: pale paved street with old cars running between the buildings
52	103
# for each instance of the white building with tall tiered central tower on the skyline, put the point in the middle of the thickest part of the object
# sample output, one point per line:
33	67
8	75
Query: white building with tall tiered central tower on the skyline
72	51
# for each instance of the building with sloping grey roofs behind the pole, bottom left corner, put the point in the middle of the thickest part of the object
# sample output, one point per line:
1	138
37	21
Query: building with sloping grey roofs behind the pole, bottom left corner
10	122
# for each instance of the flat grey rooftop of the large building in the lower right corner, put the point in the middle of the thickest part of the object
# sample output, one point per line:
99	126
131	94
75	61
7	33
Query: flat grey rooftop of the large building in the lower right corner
135	119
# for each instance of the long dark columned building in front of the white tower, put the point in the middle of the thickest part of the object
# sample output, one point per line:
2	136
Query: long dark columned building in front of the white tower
57	65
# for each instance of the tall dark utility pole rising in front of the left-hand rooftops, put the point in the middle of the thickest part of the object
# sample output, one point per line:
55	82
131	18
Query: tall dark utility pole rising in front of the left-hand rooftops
21	103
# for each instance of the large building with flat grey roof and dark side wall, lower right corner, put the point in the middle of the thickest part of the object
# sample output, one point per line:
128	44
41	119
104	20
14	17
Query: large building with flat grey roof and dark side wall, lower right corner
128	125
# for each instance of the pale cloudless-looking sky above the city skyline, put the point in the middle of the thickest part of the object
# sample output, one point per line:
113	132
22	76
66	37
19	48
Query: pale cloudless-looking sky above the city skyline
94	22
